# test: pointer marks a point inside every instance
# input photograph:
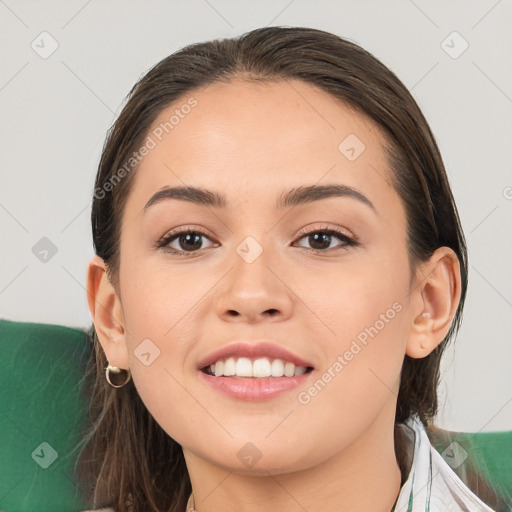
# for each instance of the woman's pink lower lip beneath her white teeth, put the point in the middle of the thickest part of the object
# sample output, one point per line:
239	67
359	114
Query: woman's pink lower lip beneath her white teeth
254	389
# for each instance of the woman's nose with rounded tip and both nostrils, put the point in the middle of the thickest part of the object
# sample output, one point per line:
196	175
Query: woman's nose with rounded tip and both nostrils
254	292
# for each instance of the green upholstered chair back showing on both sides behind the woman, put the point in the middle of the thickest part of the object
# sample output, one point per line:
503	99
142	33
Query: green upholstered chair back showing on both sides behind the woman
44	416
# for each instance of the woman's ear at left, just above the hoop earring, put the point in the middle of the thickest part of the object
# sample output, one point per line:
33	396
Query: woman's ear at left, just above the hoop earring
107	314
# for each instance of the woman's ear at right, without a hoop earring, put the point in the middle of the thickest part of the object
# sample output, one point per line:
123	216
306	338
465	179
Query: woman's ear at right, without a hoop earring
435	297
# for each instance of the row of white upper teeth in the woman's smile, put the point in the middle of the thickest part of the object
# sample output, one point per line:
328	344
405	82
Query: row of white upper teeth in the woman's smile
259	368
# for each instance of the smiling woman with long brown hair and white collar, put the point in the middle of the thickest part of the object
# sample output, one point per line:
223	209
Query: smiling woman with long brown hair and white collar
279	267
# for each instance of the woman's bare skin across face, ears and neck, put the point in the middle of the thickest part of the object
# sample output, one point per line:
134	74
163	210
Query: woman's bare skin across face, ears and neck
251	142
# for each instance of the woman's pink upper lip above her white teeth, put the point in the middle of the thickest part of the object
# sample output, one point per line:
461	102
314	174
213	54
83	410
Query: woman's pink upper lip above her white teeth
253	350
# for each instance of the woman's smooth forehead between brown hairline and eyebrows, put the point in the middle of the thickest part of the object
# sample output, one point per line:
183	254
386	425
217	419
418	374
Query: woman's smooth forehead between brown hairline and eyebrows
251	139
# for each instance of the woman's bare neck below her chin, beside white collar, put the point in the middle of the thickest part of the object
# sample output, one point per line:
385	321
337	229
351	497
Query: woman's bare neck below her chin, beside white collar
364	476
